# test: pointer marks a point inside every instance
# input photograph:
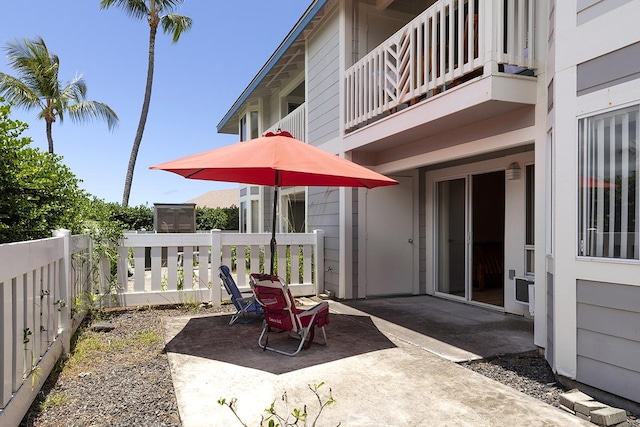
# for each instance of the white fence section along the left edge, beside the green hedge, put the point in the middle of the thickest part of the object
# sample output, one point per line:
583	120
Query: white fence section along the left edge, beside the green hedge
42	283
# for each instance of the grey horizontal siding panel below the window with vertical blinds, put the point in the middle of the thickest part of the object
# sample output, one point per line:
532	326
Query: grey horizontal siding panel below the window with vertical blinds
608	337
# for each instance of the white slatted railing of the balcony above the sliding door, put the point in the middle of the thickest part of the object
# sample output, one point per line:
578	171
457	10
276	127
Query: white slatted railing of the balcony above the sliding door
447	44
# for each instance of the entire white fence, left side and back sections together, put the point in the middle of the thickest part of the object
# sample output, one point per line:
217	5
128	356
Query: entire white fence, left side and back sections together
46	287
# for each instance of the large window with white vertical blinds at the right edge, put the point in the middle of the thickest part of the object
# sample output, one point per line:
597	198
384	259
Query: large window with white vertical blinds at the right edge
608	194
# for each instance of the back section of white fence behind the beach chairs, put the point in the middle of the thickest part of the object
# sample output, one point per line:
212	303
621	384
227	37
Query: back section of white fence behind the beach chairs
175	268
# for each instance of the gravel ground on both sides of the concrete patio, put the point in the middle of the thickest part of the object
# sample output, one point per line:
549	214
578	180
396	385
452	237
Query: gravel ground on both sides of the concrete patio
121	377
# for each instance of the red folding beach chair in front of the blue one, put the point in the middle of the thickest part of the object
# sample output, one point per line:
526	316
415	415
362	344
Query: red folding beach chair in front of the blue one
302	321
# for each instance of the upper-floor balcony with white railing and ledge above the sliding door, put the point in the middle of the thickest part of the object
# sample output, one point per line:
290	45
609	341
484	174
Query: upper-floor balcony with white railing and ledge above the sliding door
452	44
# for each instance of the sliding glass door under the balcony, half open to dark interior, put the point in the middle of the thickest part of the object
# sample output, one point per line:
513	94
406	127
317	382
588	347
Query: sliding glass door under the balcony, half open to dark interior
469	228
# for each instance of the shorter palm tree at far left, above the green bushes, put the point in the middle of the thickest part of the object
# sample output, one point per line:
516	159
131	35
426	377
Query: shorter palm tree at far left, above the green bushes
37	87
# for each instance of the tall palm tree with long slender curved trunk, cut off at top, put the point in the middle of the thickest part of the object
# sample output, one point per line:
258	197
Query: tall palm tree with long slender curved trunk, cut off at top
155	12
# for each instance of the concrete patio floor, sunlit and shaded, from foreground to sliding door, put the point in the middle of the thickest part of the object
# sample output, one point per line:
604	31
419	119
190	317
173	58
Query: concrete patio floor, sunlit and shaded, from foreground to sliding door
389	362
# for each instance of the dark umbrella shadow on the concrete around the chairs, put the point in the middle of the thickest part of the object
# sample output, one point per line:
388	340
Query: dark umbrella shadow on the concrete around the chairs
213	338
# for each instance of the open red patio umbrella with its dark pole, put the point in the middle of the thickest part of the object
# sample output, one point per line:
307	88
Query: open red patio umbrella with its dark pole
275	159
